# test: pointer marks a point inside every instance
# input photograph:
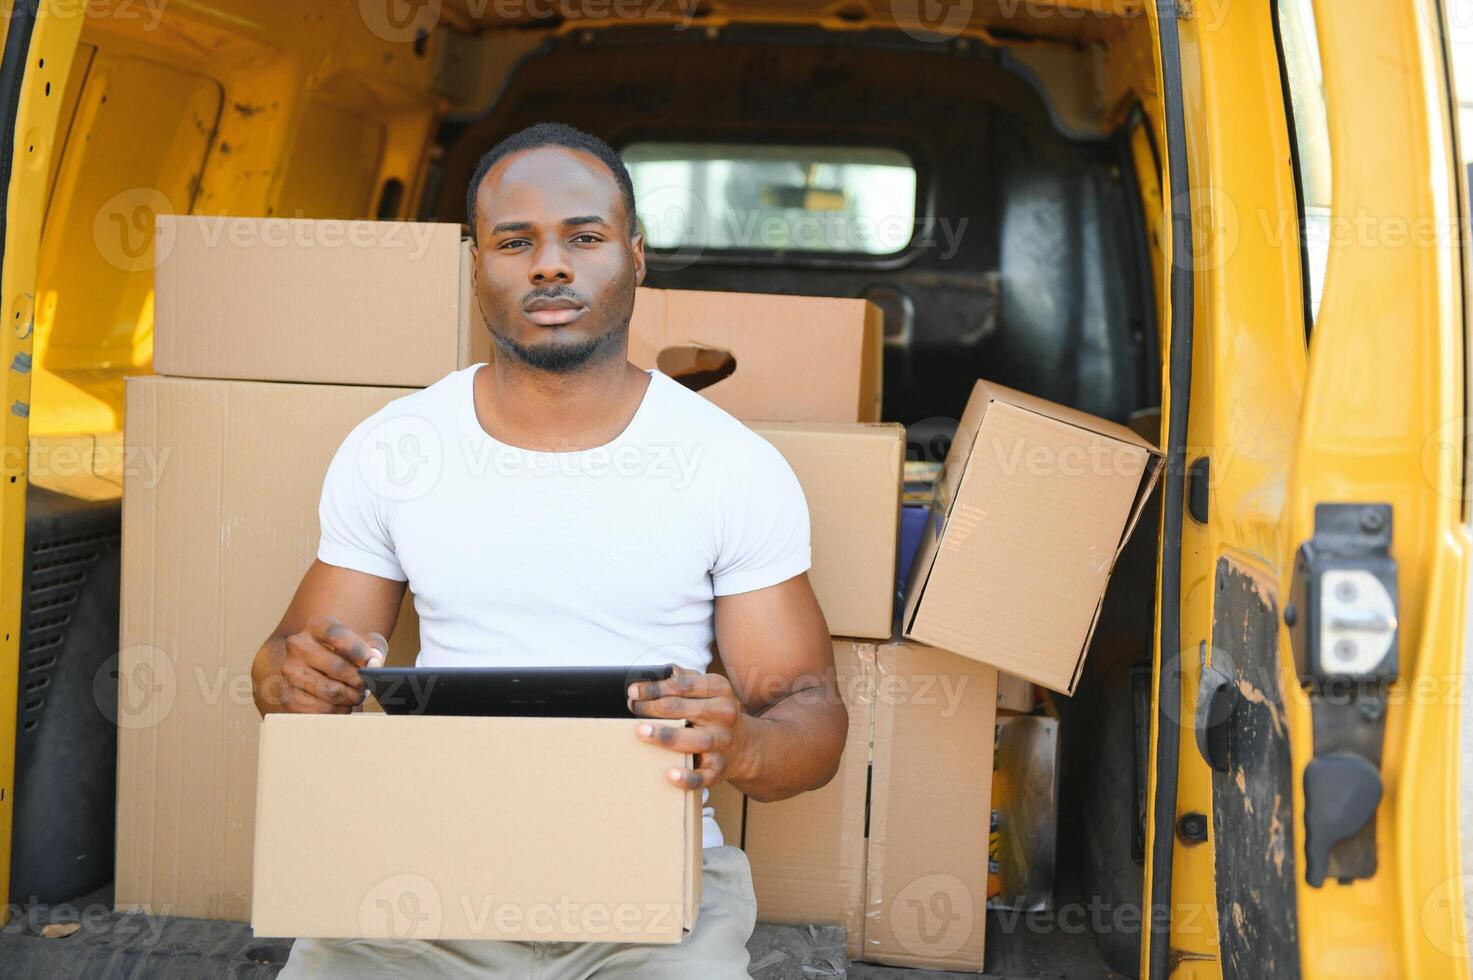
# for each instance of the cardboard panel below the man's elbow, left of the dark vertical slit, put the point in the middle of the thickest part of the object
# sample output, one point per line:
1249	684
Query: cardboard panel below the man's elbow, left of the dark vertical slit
808	853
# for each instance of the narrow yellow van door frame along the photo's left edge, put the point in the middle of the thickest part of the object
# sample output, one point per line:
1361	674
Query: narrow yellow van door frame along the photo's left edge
54	45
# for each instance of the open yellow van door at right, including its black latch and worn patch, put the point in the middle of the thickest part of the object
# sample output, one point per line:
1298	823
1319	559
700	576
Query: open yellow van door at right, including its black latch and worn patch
1313	710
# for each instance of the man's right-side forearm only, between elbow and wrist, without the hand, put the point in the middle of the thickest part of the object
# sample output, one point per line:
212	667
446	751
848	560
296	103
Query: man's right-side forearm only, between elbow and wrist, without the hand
792	748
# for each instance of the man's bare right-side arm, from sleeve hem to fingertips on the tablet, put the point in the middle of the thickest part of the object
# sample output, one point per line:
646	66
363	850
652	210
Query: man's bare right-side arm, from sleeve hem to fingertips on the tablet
780	665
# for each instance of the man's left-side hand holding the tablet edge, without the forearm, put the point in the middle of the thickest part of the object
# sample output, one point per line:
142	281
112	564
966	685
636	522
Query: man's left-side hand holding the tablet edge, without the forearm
320	671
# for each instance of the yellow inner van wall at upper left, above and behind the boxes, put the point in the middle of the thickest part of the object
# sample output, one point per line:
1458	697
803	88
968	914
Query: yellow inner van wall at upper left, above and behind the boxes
211	108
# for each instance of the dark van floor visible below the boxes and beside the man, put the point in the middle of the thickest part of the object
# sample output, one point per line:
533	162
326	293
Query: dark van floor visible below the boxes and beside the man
130	945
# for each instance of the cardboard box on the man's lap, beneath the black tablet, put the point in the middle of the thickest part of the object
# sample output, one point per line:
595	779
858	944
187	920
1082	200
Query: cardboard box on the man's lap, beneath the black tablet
521	829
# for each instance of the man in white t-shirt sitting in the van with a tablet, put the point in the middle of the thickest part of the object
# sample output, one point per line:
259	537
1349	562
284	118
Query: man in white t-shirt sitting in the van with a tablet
562	506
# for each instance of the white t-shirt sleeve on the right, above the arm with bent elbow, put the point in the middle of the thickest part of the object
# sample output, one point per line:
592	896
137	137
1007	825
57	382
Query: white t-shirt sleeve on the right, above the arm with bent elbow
764	525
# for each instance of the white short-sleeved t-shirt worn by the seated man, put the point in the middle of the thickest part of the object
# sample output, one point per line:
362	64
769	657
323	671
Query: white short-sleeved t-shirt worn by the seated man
606	556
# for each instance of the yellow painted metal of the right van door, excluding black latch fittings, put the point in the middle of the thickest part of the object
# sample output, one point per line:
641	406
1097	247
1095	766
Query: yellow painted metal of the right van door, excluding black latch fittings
1372	415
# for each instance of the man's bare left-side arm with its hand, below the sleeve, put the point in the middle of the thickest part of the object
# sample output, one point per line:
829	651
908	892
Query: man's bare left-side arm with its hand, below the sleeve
337	623
